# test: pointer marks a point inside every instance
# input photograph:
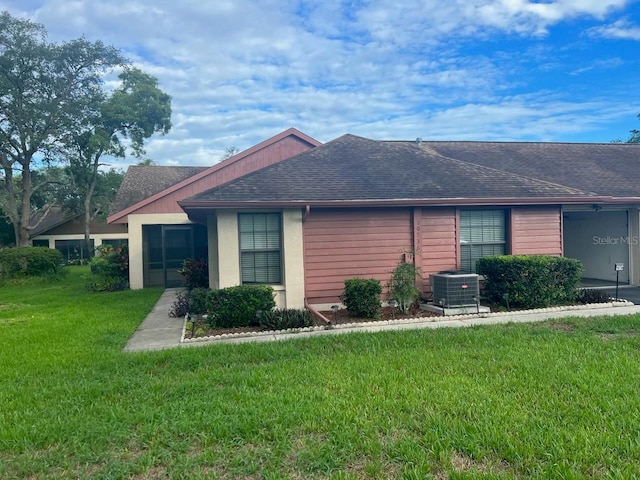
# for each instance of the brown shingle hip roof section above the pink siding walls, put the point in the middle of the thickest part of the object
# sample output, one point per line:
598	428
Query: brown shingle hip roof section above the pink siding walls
353	168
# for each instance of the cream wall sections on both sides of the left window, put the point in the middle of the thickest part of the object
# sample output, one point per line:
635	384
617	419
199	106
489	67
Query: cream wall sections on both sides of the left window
225	254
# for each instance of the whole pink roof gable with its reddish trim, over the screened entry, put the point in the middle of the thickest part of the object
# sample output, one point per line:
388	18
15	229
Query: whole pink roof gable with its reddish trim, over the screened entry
165	200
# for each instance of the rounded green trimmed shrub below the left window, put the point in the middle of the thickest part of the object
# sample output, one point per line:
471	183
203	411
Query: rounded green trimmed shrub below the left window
233	307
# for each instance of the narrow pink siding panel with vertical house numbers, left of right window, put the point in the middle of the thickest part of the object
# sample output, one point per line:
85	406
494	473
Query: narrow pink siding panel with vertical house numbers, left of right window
439	249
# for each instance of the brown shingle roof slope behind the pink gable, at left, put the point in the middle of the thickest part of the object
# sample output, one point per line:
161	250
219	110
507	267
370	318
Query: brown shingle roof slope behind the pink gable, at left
142	181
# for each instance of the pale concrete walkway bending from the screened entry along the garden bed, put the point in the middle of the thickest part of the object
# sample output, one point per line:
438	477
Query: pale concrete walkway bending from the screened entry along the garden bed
159	331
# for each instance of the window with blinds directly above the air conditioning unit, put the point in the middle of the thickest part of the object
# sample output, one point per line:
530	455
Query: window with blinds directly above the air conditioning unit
482	233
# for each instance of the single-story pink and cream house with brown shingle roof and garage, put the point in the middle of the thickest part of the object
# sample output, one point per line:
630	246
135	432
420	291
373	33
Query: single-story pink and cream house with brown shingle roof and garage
305	221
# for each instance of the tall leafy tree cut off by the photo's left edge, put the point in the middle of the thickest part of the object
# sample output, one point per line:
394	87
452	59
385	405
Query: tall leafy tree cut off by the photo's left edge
46	90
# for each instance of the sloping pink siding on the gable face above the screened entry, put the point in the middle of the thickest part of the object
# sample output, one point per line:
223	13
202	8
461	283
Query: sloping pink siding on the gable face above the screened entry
274	153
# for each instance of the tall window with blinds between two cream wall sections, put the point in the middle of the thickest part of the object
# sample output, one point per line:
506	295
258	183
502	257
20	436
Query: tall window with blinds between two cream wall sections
260	247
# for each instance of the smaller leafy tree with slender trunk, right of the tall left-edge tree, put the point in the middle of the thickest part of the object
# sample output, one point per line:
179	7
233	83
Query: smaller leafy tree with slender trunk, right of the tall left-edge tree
132	113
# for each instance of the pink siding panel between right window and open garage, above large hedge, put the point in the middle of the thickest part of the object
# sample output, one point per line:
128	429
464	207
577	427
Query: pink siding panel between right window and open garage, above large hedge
536	231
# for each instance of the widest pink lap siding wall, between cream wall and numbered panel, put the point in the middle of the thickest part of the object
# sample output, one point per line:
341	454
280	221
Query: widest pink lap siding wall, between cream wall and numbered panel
342	244
